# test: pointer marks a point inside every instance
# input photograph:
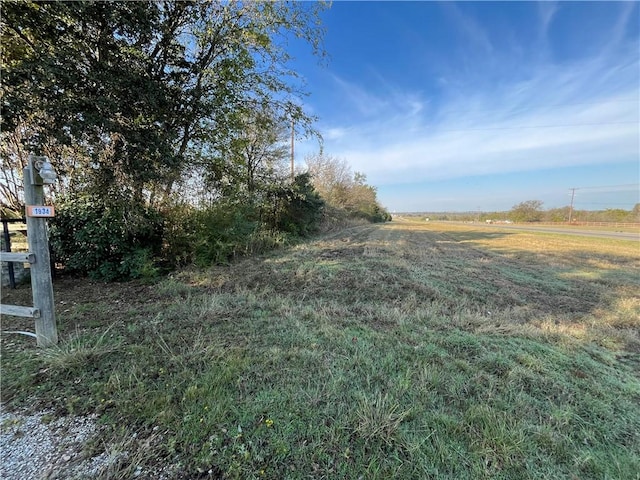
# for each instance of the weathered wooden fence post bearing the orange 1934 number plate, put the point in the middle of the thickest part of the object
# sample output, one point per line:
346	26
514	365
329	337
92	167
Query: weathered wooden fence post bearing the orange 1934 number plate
41	284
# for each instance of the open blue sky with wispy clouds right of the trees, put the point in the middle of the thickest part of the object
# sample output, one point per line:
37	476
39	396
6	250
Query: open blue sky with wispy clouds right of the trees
481	105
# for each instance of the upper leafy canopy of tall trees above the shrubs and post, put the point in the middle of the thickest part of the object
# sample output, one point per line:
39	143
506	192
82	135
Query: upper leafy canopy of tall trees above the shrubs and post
139	93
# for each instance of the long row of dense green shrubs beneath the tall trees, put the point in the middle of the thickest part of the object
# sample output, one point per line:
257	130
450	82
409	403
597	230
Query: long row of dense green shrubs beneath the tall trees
114	238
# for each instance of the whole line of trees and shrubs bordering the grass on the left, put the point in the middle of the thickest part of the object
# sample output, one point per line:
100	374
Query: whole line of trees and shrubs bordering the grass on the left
167	123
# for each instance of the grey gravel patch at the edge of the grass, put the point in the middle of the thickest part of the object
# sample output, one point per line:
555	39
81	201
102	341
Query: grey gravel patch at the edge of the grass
39	447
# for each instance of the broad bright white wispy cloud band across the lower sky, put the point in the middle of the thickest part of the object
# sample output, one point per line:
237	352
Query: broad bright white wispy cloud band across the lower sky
577	113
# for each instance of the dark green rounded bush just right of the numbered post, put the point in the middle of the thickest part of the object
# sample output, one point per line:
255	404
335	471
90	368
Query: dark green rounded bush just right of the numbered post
106	238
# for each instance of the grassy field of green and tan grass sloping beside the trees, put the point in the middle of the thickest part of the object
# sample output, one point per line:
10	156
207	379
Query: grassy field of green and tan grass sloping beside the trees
406	350
